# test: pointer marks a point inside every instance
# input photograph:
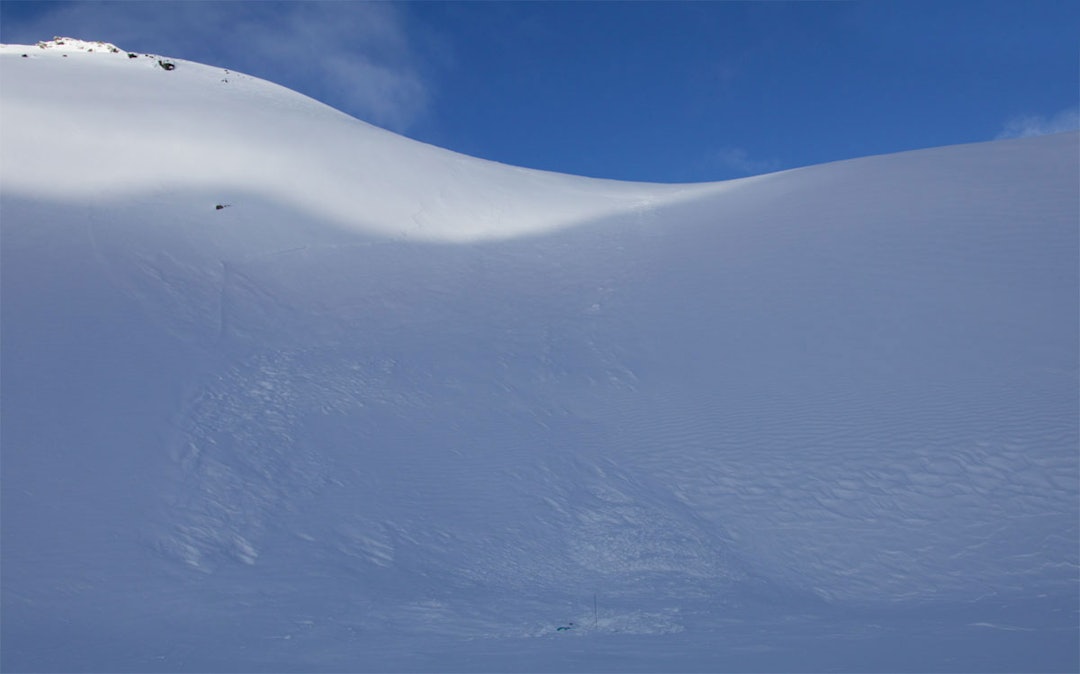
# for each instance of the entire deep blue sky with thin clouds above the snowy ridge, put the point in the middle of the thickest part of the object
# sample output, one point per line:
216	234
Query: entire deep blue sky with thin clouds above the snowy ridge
644	91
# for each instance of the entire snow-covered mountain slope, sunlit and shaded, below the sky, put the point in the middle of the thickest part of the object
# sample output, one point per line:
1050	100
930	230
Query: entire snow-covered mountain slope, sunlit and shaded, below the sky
395	409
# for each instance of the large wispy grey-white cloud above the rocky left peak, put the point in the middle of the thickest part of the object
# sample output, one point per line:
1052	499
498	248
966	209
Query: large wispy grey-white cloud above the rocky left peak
356	57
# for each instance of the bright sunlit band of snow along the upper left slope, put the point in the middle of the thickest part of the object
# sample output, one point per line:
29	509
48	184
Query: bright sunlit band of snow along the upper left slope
434	196
